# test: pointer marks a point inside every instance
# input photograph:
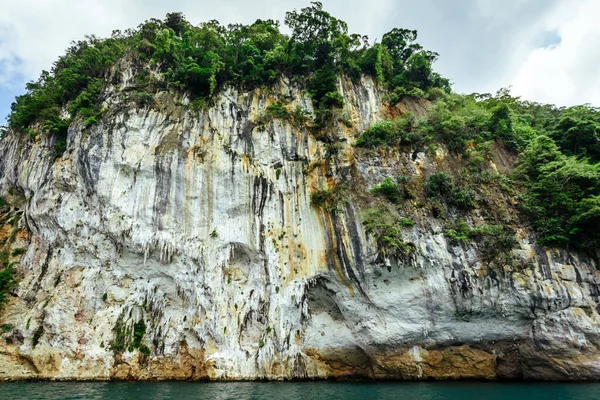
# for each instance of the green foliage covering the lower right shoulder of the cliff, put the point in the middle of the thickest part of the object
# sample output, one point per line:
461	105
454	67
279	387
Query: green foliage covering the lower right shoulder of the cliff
558	152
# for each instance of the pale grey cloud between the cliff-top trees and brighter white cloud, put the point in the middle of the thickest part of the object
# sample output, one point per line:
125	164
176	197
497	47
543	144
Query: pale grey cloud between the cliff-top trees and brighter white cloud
481	43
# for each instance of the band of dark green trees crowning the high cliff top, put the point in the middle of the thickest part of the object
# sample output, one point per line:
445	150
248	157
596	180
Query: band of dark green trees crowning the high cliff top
198	60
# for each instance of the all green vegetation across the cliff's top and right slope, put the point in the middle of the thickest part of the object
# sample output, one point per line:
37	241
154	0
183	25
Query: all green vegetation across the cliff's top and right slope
557	176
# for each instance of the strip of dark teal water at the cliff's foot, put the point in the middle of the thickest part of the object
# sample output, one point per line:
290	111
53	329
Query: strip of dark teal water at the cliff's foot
299	390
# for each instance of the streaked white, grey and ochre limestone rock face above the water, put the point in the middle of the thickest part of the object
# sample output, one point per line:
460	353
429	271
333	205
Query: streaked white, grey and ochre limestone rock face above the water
172	244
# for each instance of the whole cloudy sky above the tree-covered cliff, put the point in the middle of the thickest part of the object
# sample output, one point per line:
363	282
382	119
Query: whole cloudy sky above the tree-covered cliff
548	50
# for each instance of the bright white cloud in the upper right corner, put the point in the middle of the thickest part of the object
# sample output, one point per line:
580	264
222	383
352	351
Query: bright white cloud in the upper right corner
568	73
